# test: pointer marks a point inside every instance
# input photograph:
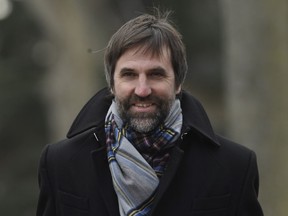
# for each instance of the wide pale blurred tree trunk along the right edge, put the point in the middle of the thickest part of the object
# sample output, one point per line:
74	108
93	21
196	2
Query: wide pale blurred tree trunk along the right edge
256	42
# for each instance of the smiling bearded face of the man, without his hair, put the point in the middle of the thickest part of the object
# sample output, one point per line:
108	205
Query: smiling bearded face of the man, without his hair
144	88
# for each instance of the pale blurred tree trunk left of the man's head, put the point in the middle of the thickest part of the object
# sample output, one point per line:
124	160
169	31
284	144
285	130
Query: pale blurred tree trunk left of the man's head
71	80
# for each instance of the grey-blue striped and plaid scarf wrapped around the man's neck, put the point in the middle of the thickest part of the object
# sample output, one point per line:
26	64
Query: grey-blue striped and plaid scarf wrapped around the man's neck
134	175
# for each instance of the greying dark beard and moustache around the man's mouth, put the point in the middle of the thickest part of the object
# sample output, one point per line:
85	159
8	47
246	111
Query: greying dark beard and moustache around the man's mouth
143	122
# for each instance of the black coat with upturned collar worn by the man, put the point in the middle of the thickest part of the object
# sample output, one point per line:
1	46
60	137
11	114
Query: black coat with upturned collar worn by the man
207	175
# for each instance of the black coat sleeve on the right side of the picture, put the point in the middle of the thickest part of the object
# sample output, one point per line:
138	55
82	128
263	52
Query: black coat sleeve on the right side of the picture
249	205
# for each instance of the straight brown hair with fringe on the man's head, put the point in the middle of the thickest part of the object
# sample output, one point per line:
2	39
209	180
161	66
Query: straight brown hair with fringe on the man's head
152	32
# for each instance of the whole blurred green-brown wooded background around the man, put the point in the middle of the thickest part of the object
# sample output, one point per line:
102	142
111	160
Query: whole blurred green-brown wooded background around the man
238	68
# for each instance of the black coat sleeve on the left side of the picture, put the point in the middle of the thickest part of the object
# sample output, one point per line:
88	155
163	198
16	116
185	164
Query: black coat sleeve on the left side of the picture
46	203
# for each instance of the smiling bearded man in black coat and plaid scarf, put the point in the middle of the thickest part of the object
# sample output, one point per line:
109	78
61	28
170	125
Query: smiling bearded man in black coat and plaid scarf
143	146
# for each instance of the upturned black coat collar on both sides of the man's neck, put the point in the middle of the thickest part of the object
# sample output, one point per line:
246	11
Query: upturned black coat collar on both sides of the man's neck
94	112
